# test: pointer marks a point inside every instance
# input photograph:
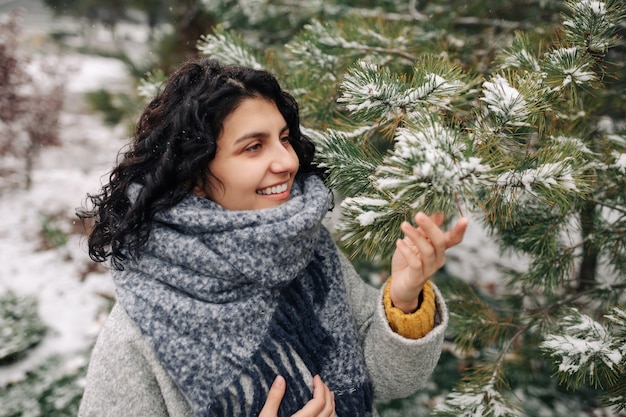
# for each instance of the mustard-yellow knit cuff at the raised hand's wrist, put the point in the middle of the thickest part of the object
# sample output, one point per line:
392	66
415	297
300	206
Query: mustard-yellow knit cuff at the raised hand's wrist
413	325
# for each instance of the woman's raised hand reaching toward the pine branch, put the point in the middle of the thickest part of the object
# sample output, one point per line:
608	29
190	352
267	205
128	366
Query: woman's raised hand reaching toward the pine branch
419	255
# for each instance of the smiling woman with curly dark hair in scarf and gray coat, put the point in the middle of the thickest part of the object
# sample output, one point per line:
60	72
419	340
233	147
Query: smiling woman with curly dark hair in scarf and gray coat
232	298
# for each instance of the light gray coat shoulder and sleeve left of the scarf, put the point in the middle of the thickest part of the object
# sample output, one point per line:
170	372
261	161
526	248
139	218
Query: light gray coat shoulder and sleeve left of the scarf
124	377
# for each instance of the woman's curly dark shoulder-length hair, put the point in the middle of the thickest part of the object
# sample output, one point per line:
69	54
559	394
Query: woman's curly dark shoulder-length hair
174	141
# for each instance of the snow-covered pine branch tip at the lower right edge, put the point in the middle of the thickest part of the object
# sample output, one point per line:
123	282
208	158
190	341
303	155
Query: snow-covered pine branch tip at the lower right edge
583	348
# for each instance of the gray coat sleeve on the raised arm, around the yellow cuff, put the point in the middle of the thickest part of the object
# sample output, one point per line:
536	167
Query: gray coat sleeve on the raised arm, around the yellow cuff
398	366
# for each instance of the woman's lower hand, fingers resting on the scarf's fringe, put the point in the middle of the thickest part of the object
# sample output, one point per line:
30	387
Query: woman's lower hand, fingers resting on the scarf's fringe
322	404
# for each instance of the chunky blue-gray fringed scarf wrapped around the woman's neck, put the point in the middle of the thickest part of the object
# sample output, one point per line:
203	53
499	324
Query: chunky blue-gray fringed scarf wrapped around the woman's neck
230	299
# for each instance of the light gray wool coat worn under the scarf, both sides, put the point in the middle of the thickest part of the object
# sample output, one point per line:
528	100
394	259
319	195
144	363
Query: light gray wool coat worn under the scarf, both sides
125	377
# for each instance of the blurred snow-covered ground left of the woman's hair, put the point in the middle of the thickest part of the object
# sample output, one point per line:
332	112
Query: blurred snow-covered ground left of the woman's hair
70	297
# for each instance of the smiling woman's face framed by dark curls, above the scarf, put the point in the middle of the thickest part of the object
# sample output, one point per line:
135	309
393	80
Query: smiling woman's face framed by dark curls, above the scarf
255	165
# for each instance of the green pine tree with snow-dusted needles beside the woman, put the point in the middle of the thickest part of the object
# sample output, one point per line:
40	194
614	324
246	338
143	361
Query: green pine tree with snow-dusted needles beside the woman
407	116
